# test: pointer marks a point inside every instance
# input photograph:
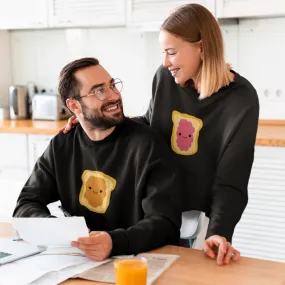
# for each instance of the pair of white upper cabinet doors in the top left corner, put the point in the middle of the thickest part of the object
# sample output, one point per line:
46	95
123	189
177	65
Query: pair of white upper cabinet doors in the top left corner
30	14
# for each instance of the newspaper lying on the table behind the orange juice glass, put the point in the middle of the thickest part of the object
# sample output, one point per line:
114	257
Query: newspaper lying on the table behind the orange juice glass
157	264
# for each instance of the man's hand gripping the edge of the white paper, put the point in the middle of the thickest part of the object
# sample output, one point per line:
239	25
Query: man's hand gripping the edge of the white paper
97	246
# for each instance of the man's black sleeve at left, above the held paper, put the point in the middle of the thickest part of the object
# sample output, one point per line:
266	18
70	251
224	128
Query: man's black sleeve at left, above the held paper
39	190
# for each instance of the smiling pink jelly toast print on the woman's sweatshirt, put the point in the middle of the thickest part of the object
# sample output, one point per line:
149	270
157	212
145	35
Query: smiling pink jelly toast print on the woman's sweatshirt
185	133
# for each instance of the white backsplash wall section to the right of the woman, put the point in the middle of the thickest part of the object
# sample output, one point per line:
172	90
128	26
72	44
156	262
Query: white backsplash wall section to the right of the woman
262	60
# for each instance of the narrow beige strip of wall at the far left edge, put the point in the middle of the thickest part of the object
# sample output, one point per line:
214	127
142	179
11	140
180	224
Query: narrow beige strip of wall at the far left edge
5	67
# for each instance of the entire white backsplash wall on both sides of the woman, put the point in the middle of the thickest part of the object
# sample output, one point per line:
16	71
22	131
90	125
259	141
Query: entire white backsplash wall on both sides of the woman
255	48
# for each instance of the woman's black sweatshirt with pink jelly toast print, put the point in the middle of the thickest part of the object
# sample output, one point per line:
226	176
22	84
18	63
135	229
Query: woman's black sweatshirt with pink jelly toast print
213	140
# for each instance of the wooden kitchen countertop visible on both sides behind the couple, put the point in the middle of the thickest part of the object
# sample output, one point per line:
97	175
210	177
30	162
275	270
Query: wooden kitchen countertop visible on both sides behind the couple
270	133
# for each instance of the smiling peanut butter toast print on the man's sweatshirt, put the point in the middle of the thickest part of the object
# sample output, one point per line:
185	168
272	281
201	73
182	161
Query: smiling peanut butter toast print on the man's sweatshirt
96	191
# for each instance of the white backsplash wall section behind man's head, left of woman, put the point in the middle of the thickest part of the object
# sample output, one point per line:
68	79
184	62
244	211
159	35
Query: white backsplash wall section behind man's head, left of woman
39	55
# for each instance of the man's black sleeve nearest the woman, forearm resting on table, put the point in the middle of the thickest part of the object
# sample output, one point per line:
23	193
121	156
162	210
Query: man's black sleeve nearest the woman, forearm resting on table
160	204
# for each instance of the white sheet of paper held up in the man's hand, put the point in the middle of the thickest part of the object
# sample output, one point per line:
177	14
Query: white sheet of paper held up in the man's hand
51	231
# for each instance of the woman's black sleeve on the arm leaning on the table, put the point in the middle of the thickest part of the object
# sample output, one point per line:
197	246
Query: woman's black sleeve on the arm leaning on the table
230	189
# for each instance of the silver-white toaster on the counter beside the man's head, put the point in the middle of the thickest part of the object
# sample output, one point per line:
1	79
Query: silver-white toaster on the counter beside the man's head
48	106
